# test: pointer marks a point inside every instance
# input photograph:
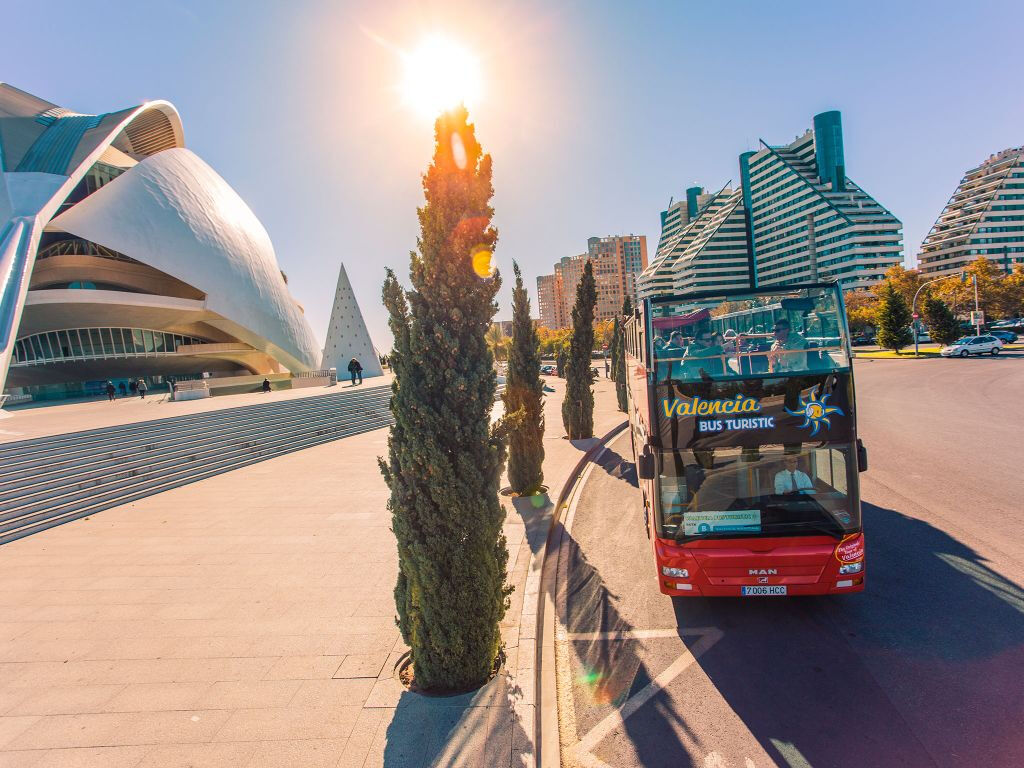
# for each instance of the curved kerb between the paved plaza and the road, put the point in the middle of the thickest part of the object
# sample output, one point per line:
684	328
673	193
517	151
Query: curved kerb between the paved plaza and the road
547	747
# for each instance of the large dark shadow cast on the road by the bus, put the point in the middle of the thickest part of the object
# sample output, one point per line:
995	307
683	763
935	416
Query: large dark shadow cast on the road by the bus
923	669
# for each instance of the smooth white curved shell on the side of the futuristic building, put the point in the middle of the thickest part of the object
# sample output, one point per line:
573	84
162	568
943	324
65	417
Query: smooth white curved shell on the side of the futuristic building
176	214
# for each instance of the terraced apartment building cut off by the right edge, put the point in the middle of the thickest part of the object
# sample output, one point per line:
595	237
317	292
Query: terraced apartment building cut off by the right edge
985	218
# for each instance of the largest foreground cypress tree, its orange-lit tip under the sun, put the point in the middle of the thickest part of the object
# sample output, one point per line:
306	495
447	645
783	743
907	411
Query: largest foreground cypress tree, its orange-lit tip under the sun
445	461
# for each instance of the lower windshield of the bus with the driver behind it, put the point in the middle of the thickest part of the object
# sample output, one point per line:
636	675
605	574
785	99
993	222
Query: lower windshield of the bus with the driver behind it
772	491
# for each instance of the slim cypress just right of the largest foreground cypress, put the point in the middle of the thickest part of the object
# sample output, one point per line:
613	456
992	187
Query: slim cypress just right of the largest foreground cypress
524	394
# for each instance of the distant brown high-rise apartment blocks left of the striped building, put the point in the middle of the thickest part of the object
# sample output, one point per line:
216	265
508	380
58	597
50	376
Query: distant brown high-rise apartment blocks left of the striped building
618	263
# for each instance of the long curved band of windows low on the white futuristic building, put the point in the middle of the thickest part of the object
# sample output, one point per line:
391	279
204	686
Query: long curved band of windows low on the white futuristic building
93	344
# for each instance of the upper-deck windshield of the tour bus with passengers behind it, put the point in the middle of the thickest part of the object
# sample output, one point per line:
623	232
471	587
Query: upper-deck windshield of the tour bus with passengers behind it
750	335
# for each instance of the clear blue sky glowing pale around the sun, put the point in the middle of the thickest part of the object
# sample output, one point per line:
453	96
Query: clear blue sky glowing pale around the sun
595	112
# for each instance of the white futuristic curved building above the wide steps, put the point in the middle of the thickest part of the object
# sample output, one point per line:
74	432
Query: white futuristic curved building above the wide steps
124	255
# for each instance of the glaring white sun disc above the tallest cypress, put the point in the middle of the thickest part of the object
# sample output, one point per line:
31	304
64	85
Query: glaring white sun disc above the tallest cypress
439	75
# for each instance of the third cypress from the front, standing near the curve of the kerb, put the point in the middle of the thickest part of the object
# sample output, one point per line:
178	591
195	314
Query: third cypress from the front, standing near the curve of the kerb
578	408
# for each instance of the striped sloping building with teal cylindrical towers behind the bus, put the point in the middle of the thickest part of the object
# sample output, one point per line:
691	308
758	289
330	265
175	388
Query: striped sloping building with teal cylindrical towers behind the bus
803	221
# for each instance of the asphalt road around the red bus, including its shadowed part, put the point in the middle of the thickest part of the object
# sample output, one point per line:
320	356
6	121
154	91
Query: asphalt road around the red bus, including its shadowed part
926	668
